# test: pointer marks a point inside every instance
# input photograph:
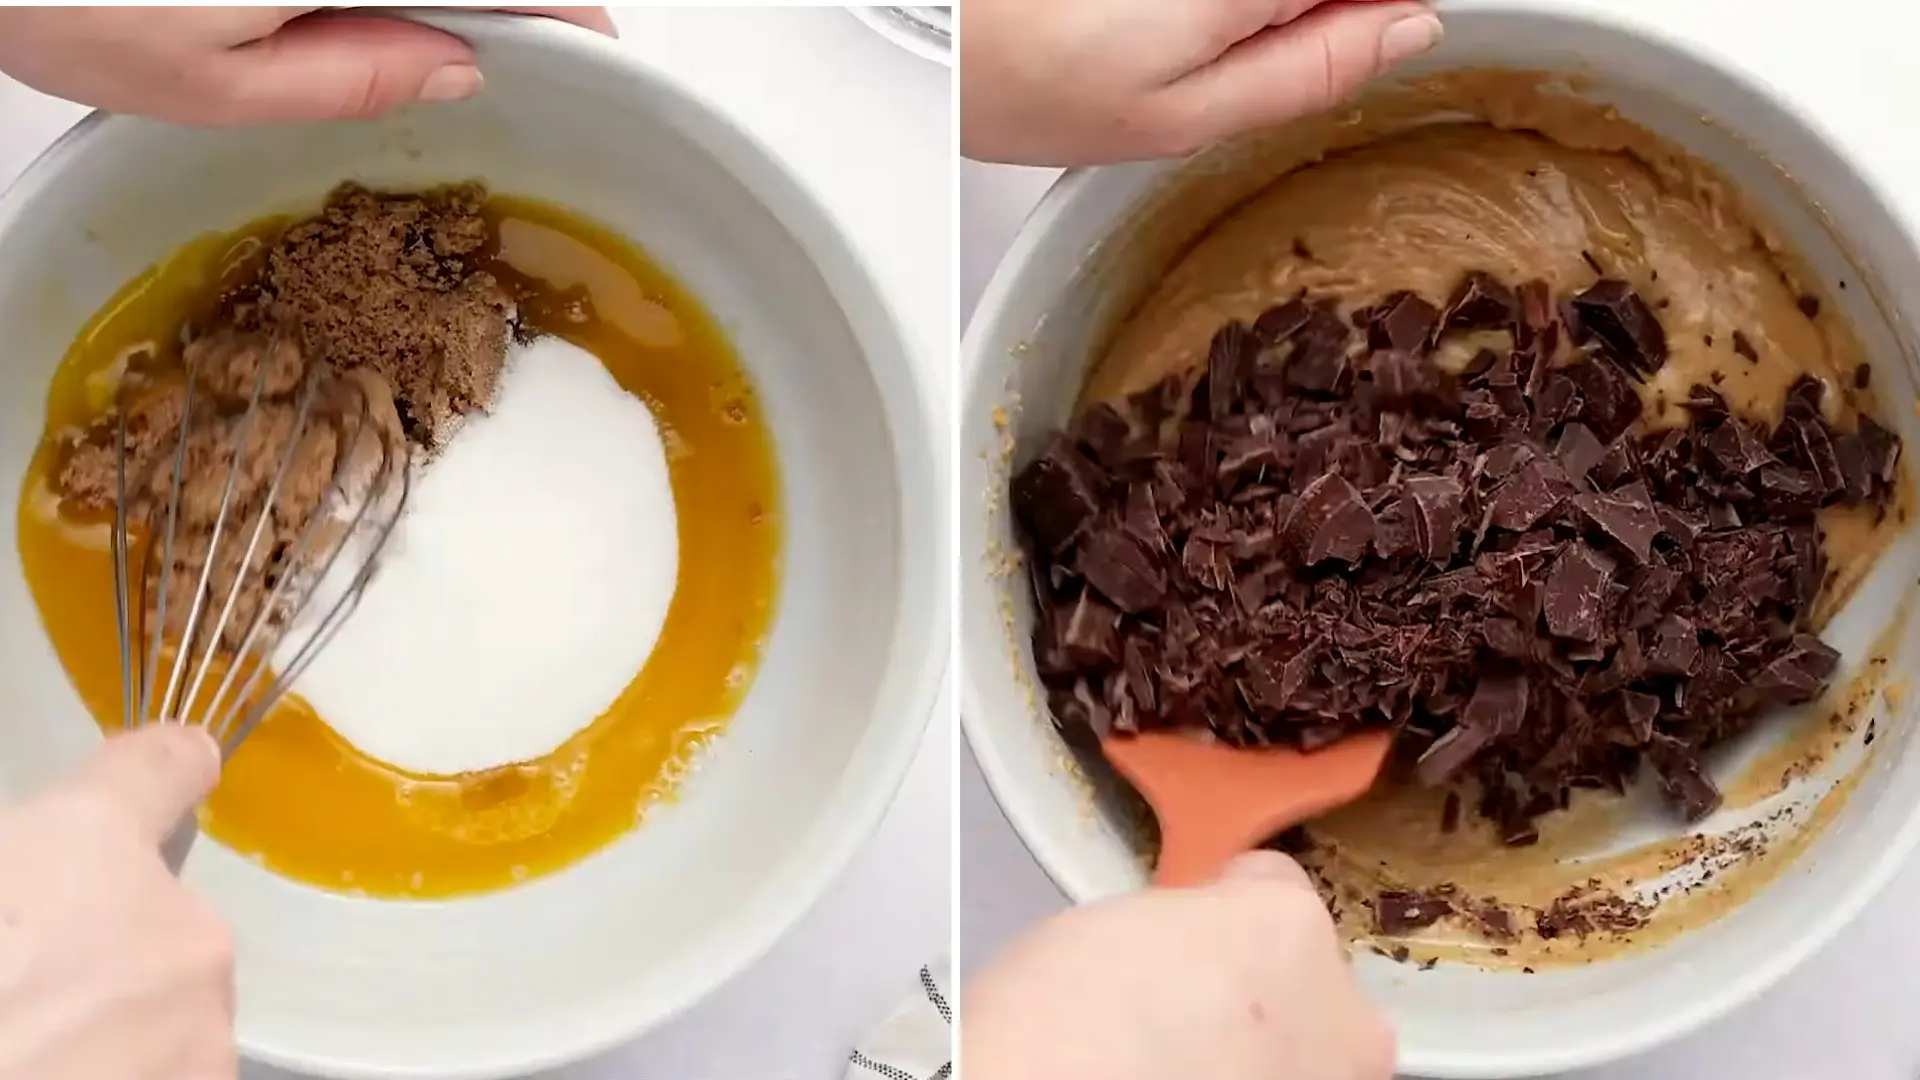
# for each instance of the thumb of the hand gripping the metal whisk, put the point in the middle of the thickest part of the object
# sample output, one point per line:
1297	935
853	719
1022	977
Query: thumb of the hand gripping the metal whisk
155	773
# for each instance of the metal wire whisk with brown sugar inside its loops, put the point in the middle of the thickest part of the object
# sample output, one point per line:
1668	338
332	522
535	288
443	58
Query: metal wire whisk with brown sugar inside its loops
216	664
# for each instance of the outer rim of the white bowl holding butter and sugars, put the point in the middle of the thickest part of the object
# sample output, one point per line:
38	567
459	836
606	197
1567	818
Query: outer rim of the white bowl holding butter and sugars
921	645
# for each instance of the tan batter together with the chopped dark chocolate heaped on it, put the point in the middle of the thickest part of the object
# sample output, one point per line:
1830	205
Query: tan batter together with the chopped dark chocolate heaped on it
1520	437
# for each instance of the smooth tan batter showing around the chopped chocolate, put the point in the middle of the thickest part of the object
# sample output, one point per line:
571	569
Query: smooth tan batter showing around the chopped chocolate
1531	184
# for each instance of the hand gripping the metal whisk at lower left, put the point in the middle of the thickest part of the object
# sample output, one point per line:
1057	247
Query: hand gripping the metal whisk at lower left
108	966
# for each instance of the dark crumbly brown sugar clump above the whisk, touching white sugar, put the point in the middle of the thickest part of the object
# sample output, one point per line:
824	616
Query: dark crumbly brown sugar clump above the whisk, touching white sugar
389	283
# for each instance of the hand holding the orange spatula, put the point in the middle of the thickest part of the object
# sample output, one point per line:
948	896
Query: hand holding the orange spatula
1243	979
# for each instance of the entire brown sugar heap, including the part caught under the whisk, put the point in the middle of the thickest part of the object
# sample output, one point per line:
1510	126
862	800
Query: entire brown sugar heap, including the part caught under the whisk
381	305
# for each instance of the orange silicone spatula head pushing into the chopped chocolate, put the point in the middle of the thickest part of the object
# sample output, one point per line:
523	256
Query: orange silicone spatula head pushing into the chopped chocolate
1214	800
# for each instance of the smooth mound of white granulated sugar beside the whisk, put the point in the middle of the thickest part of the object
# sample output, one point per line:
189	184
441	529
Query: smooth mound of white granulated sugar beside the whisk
525	585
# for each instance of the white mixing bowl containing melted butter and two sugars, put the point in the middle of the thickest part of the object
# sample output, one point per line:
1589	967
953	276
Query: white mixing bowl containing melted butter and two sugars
573	964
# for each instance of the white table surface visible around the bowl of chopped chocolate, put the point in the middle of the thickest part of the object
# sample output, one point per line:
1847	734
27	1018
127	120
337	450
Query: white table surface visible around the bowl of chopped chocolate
1846	1016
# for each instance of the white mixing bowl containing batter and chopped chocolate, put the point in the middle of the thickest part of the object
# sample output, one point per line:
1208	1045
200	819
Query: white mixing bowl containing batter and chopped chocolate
1082	262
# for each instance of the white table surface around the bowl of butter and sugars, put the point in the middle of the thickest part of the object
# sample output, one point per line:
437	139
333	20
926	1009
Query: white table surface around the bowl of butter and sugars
871	128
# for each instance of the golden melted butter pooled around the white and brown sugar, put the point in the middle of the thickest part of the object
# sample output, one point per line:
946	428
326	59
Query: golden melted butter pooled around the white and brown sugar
302	800
